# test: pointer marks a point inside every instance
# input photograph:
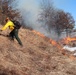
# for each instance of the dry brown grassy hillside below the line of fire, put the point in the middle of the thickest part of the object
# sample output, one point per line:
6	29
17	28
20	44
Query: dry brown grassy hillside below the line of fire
36	57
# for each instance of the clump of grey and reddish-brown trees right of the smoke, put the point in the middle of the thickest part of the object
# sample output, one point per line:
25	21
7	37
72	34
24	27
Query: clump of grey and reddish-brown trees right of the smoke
55	19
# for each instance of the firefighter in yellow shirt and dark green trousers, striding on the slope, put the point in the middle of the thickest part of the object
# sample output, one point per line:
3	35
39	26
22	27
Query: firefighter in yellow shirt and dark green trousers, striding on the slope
14	32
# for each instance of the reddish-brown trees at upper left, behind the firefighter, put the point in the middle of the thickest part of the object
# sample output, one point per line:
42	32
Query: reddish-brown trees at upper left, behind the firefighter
8	10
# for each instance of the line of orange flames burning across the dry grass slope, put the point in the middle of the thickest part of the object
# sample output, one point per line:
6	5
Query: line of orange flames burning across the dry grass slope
66	40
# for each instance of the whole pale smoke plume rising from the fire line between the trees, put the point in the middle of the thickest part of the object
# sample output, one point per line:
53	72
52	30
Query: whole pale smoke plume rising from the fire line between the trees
30	11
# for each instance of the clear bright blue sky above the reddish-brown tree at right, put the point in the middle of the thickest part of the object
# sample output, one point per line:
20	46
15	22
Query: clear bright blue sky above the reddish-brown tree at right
67	6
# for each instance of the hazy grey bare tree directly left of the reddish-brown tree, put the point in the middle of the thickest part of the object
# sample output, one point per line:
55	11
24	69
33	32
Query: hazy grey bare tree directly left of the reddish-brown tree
47	14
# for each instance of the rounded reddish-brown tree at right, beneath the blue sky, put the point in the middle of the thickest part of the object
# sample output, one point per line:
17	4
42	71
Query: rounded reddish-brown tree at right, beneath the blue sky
64	21
